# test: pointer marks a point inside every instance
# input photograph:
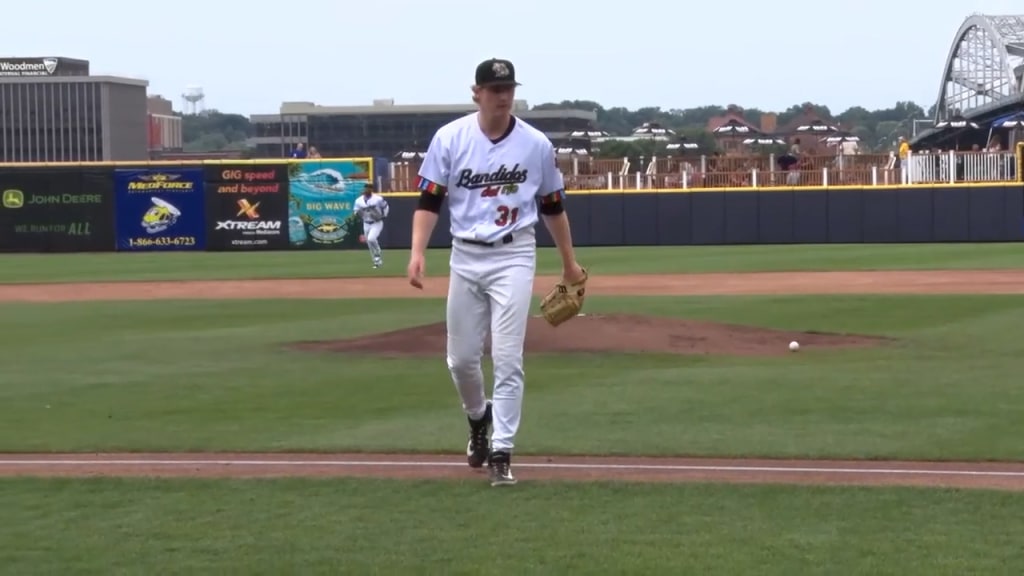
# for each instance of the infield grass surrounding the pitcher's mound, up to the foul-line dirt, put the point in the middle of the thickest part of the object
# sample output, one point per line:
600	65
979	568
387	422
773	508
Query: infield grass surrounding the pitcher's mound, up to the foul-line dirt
214	376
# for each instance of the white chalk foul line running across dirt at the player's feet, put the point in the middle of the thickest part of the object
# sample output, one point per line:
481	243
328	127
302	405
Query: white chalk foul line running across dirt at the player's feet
549	466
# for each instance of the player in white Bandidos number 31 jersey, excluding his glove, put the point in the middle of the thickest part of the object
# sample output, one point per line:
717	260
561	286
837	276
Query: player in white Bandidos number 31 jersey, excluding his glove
500	176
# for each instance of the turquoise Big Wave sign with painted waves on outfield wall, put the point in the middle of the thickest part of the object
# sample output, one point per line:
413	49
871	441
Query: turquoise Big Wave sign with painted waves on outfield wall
323	194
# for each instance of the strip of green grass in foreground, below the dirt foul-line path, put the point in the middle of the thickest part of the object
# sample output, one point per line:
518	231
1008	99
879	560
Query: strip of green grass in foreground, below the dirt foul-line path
132	527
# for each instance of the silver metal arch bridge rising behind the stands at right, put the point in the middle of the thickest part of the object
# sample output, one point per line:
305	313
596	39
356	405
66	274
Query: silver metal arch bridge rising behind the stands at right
984	77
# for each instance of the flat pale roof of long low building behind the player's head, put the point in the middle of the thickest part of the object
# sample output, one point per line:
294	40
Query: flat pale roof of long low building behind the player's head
388	106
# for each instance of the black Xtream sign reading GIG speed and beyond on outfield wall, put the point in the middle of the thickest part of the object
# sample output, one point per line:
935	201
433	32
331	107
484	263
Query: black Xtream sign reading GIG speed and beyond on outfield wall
247	208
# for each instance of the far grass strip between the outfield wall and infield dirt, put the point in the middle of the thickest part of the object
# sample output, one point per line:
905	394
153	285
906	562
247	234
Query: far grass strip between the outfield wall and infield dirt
205	266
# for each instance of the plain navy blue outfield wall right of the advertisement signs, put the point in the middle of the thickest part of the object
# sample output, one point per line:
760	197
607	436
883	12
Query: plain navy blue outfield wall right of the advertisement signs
975	214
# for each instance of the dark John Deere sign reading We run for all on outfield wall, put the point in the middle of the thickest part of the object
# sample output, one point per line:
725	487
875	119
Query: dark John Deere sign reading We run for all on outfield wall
56	211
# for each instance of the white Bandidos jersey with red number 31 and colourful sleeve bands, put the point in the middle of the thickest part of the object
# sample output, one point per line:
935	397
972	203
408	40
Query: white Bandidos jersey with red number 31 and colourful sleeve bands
492	187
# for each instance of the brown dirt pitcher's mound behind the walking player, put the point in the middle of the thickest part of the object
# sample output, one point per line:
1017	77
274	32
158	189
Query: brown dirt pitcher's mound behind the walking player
610	334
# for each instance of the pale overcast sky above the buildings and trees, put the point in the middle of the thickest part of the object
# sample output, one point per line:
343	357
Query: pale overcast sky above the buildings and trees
250	57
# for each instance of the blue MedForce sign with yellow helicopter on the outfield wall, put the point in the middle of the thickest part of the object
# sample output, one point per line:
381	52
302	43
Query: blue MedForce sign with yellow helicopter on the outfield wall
160	210
